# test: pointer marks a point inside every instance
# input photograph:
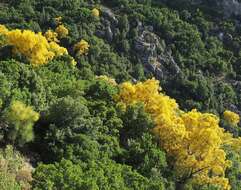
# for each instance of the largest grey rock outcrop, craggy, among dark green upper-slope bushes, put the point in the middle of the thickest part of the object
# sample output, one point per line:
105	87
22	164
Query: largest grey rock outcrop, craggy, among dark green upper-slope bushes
154	55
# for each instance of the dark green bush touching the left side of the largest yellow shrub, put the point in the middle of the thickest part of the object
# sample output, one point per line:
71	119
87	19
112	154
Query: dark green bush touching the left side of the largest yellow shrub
141	149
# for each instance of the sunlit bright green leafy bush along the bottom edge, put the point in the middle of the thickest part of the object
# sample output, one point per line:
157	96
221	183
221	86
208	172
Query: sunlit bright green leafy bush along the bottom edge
90	176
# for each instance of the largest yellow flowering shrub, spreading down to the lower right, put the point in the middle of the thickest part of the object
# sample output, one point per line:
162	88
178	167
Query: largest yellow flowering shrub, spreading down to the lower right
193	138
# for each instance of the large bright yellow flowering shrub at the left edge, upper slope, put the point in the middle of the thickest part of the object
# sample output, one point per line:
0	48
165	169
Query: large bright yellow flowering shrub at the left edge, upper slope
34	46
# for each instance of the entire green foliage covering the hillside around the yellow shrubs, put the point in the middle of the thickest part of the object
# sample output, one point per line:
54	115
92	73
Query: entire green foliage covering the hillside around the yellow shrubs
83	139
